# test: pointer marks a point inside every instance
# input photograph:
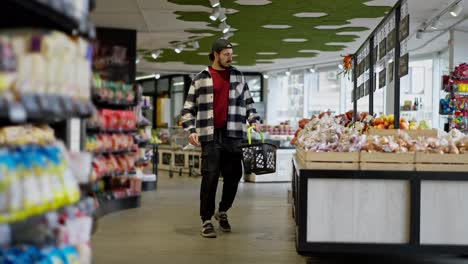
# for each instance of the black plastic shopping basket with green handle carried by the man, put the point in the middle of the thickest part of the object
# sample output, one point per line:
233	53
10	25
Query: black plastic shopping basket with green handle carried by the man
258	158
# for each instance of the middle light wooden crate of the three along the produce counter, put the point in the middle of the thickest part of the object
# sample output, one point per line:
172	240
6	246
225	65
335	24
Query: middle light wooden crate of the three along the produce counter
386	161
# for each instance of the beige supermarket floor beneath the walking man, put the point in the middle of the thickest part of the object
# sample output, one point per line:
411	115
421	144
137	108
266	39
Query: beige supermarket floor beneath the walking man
166	228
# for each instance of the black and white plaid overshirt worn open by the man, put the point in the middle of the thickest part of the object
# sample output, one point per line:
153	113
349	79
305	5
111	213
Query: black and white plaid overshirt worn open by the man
197	115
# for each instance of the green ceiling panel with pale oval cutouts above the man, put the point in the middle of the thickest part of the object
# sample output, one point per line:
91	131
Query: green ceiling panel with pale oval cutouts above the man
252	37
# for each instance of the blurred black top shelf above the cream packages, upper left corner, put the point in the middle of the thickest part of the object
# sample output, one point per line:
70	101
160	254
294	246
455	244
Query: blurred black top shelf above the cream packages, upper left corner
34	13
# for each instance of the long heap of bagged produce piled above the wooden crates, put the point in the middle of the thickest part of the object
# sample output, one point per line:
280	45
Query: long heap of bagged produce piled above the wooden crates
327	134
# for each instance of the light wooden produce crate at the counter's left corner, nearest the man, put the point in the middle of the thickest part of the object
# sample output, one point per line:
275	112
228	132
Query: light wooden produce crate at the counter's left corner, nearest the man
329	160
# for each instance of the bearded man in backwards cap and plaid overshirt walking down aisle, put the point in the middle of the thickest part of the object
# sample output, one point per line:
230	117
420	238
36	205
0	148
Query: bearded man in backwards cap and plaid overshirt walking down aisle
215	113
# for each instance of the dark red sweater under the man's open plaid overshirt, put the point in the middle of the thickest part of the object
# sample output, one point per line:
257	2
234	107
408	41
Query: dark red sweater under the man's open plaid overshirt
221	82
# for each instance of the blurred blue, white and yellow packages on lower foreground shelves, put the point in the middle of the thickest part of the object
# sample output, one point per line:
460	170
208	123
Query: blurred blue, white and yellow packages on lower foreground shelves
41	213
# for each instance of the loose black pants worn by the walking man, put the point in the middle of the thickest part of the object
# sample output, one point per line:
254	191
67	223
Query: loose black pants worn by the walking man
222	155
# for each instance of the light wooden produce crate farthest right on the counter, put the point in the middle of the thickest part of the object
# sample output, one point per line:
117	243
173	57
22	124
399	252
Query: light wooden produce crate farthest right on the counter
441	162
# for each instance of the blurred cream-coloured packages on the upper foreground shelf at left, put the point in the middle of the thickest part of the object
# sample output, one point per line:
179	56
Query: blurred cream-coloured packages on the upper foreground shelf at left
44	74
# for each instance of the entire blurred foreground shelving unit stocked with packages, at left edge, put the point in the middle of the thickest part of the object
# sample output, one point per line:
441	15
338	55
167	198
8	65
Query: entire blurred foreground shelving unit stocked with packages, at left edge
45	77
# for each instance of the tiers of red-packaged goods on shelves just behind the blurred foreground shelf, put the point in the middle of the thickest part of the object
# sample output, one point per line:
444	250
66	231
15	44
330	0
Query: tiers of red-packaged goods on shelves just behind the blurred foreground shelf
111	136
